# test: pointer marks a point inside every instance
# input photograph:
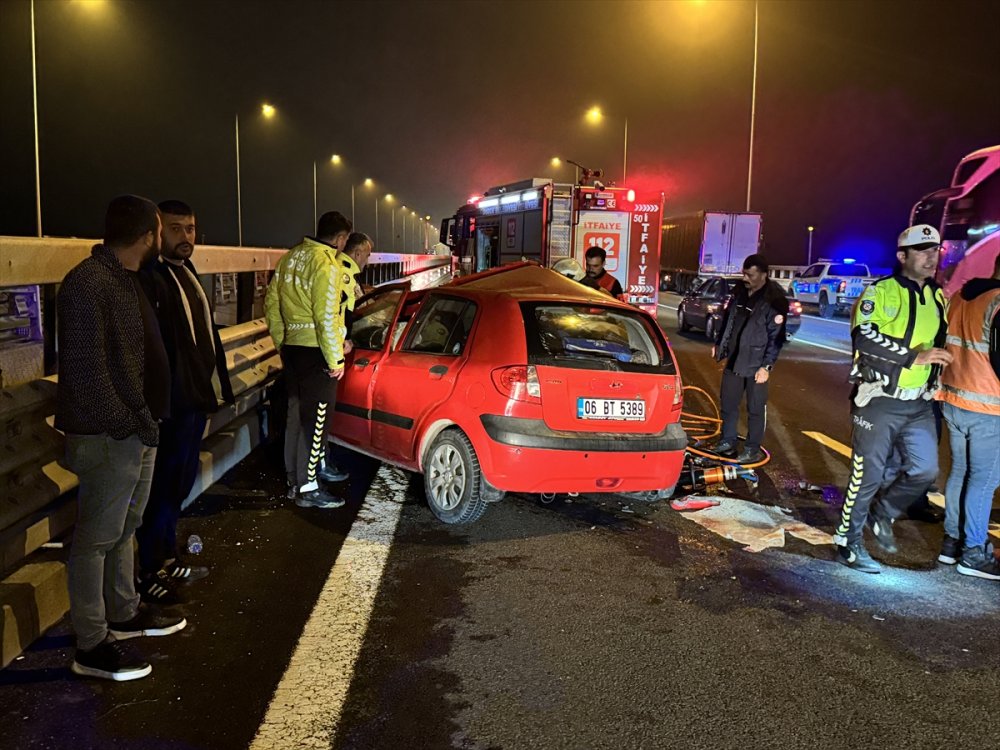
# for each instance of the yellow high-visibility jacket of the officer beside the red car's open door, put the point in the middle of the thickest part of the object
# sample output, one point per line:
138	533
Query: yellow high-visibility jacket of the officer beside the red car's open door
303	302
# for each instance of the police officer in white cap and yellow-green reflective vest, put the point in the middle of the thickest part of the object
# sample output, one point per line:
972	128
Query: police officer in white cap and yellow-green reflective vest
898	331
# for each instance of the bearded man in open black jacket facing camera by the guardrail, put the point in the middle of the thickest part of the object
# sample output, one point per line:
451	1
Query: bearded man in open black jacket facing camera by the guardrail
197	362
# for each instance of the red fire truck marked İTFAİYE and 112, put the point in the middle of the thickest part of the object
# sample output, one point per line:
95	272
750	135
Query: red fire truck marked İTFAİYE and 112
544	221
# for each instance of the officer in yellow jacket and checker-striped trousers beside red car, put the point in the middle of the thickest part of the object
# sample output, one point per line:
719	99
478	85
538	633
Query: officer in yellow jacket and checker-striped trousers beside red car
306	322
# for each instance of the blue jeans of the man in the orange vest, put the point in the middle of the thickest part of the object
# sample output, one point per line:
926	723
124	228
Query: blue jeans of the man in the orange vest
975	473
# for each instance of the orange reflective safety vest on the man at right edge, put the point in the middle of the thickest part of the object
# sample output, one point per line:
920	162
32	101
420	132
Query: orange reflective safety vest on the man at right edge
969	382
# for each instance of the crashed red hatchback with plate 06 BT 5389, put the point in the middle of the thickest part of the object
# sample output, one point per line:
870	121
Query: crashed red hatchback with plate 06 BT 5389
516	379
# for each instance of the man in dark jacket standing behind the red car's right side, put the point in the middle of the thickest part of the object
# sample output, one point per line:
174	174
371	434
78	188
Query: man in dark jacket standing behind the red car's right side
750	337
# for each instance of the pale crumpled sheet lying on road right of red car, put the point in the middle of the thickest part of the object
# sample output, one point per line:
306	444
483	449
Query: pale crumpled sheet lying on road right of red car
757	527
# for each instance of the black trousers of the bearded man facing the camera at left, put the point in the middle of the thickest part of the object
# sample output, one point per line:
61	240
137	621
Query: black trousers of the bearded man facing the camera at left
173	477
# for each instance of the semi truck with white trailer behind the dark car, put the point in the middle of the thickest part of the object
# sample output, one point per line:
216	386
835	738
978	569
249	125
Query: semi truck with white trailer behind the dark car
706	243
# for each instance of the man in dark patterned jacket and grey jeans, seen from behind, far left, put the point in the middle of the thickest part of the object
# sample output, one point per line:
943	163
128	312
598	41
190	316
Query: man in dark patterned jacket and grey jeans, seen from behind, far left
113	388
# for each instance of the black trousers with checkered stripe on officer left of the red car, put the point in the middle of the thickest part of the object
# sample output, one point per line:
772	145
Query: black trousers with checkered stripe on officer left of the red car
311	396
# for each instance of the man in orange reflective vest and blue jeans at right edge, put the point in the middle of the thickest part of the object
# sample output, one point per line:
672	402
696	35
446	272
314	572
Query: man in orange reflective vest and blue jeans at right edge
970	396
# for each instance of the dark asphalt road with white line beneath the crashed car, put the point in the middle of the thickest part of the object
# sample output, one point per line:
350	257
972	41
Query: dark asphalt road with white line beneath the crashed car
589	622
